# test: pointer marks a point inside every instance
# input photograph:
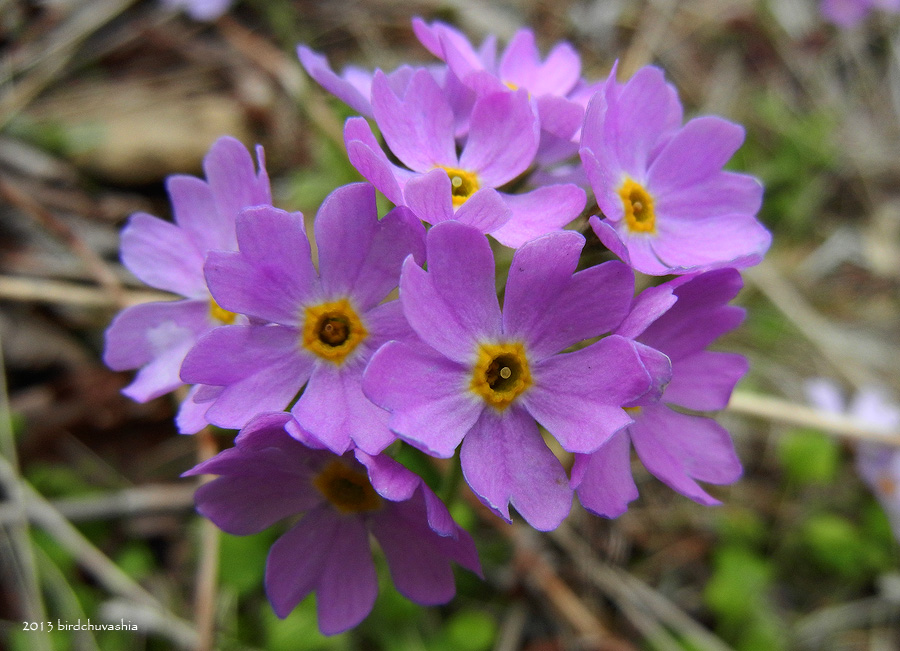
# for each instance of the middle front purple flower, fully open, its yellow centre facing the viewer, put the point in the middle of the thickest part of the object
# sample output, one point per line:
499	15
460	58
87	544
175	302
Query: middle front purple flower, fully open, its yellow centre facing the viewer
486	379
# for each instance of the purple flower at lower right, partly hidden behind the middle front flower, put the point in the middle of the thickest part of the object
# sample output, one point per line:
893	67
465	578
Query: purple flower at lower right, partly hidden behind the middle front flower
680	318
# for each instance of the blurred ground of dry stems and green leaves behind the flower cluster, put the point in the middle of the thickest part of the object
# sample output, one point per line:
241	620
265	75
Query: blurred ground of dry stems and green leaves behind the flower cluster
100	100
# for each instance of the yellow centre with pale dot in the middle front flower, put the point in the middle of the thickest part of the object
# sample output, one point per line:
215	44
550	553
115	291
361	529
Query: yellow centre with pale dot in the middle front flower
501	373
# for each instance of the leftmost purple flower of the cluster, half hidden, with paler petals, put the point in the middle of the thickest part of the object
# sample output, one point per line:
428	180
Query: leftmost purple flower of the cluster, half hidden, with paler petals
156	336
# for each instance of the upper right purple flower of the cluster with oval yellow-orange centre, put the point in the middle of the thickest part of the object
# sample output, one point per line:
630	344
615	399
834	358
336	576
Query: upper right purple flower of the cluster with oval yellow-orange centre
669	206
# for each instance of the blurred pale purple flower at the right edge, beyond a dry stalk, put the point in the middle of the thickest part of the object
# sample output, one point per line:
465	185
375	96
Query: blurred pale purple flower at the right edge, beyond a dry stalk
878	464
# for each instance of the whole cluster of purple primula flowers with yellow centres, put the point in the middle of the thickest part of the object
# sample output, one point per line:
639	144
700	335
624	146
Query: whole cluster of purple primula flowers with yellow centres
325	373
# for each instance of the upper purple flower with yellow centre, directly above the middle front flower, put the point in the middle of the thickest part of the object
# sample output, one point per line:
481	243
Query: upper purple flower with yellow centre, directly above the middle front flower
419	128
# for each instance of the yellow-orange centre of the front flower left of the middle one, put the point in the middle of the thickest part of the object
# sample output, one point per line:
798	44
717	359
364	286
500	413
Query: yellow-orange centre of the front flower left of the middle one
332	330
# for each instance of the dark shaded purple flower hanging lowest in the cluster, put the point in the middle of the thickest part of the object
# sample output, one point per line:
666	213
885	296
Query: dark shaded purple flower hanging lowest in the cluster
268	476
